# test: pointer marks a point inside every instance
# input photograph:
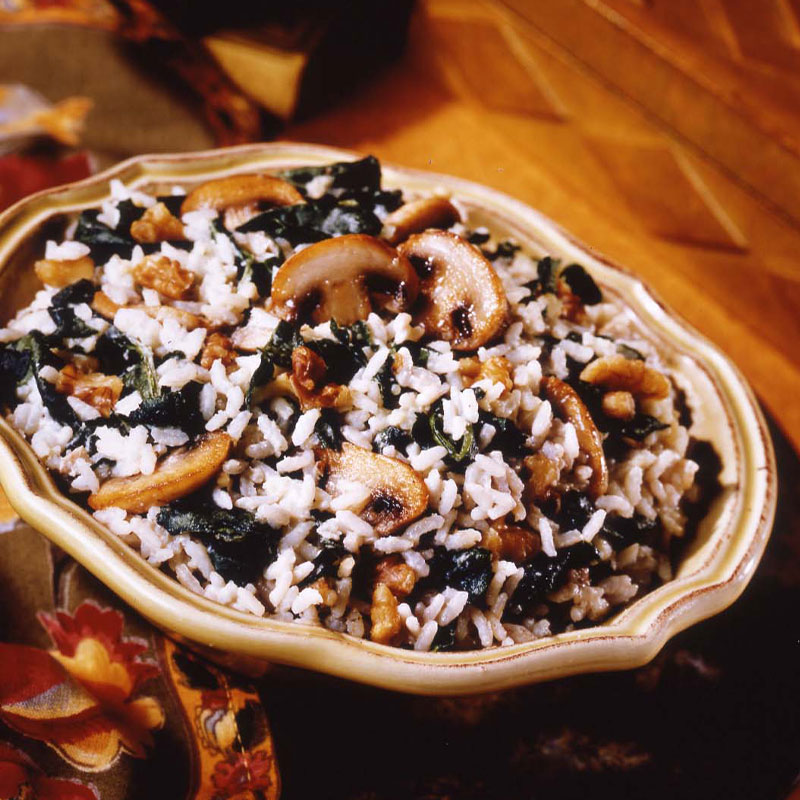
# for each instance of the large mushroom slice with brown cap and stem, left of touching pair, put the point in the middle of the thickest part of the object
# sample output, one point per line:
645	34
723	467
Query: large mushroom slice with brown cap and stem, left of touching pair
340	278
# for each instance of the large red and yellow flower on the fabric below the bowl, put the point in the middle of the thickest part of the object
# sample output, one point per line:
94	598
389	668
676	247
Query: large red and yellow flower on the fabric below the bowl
78	698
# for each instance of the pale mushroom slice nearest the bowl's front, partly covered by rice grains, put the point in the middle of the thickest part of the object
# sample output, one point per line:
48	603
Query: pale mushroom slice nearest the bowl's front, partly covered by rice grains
397	494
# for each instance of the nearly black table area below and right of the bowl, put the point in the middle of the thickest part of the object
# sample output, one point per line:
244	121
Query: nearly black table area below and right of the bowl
714	715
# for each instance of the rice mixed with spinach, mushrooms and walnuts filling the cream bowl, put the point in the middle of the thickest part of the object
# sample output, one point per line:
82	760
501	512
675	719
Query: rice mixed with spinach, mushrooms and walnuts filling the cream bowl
312	398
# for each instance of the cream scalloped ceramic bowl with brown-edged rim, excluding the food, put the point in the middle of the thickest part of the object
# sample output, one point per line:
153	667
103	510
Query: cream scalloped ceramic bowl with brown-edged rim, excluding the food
712	573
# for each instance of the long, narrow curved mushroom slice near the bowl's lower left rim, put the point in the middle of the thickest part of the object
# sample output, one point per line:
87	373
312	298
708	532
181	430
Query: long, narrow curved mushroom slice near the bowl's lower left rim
176	475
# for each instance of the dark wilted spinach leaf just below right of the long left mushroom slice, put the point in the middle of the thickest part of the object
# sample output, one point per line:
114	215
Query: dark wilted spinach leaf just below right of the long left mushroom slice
239	546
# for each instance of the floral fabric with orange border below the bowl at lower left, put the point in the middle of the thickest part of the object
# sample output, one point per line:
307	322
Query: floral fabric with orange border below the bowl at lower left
95	703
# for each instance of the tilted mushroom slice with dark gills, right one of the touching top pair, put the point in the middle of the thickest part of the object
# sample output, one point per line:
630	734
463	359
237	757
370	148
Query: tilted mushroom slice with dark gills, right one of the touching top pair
462	298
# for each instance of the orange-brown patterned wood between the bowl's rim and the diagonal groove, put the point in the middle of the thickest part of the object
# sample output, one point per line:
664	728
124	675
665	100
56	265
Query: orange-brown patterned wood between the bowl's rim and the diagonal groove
484	95
